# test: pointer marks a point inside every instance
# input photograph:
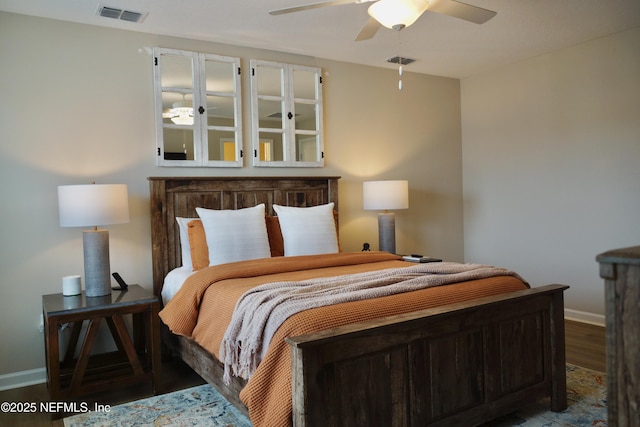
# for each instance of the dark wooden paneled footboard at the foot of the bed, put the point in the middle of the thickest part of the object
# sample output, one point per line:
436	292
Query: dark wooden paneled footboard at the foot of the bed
460	364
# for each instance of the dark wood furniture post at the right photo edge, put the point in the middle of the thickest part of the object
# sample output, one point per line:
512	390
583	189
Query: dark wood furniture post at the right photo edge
621	270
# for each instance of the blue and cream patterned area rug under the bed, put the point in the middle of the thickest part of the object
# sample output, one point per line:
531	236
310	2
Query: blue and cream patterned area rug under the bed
203	406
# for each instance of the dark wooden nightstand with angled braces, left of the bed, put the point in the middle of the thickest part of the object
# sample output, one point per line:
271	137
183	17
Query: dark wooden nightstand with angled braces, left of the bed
136	360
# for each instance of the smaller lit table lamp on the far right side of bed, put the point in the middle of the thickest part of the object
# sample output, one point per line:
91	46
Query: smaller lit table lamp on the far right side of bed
385	196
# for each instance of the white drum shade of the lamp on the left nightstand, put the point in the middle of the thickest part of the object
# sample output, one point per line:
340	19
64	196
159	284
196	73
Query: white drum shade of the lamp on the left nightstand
93	205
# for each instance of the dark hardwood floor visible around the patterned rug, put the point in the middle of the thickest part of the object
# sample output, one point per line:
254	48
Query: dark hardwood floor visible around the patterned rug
585	346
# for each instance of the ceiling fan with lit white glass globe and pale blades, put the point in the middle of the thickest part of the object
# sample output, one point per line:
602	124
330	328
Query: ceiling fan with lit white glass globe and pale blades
398	14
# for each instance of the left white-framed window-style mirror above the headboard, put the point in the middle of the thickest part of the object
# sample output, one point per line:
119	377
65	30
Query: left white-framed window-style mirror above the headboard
198	109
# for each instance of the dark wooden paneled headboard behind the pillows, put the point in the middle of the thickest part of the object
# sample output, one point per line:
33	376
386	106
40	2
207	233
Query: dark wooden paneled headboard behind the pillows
173	197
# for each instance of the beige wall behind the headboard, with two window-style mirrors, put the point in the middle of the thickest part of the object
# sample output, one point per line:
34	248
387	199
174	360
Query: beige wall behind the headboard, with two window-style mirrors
77	106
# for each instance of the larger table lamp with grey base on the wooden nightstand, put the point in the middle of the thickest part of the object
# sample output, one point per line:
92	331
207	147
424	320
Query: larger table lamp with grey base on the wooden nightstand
94	205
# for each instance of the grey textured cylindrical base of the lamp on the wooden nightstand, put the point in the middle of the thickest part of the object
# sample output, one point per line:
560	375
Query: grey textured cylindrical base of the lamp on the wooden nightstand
97	275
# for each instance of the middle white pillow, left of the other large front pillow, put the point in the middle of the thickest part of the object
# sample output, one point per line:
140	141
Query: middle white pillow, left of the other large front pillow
235	235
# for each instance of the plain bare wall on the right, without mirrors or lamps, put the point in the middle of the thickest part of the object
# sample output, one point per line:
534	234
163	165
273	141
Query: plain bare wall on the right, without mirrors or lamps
551	164
